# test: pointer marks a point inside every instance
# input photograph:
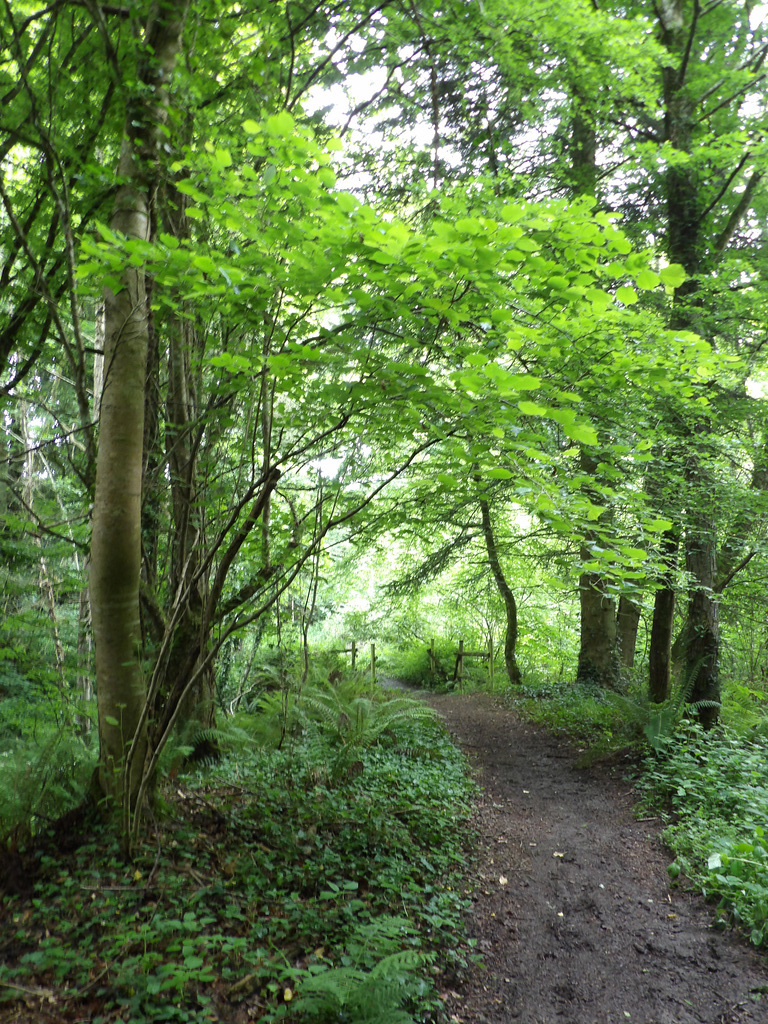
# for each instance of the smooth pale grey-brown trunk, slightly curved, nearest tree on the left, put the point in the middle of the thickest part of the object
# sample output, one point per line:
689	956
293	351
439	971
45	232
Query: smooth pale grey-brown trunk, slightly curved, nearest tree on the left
116	544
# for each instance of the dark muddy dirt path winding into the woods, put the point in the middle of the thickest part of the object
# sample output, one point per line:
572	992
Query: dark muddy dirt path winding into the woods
575	916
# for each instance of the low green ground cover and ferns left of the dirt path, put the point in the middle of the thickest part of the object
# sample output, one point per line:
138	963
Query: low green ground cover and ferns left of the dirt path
317	878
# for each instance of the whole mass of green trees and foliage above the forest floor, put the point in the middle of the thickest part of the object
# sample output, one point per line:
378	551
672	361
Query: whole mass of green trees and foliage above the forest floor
393	323
